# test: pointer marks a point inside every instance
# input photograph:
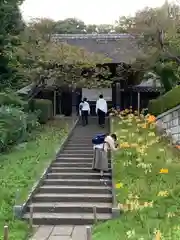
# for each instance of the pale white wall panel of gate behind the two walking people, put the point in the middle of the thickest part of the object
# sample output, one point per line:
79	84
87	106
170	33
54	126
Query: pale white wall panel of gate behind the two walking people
93	94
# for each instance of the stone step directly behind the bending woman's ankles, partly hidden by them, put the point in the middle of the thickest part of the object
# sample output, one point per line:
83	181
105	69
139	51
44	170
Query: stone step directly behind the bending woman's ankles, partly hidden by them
71	170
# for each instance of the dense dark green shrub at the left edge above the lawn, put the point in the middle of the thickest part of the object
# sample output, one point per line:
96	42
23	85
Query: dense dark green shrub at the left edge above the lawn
14	126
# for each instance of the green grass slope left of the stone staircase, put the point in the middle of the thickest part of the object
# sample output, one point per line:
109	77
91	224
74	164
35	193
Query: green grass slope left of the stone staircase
21	168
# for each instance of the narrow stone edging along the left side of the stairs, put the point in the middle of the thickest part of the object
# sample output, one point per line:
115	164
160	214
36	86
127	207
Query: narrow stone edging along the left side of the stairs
19	210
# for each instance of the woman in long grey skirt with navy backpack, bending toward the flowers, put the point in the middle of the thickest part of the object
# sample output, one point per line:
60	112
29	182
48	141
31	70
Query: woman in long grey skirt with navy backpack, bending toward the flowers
102	144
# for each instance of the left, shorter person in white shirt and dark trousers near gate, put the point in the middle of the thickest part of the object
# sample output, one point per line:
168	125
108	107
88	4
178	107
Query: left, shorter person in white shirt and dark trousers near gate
84	111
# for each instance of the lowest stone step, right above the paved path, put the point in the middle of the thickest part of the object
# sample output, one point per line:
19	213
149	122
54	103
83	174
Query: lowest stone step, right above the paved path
66	218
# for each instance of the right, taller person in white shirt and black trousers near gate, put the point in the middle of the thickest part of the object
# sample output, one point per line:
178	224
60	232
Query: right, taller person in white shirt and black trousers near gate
101	110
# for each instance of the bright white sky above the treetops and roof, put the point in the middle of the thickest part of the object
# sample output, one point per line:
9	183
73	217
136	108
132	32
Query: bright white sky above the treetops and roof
92	11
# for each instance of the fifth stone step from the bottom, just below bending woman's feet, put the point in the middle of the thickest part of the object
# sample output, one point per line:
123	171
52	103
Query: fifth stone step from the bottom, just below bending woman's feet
77	182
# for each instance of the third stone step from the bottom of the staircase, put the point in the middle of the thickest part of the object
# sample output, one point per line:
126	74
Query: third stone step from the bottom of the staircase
67	197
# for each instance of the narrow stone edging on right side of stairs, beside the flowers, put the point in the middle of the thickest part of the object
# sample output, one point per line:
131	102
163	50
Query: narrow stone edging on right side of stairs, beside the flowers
115	209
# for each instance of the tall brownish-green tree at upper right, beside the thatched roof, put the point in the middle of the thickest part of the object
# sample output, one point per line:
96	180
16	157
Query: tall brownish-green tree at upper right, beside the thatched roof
158	37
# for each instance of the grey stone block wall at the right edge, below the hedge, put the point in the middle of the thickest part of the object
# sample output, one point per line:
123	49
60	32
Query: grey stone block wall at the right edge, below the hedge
170	122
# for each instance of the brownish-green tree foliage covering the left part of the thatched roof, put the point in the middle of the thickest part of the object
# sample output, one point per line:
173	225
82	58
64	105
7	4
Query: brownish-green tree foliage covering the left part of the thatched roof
55	62
